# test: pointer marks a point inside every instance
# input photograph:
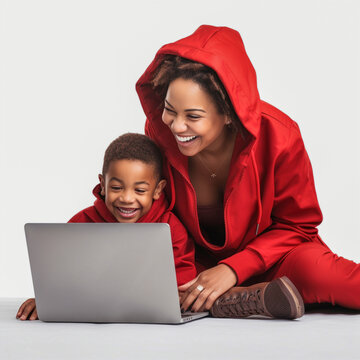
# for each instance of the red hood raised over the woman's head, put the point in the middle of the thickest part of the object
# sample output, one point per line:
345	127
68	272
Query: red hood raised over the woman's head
221	49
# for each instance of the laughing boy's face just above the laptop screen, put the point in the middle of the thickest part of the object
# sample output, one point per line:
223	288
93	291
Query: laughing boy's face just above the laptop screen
130	187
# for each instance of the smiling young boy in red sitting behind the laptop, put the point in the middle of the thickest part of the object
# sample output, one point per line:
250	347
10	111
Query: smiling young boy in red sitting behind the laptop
130	191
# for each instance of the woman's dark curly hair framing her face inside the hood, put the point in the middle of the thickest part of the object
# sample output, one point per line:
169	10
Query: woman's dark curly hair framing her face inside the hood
173	67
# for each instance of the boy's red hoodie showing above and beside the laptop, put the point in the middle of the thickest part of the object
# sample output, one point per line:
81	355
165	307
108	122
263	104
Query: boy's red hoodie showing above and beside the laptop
182	247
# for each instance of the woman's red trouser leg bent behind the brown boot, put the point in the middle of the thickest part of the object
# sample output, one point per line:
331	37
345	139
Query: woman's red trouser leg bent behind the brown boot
320	275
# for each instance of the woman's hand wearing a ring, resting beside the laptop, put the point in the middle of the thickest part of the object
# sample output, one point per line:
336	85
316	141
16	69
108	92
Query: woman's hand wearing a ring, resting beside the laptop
206	288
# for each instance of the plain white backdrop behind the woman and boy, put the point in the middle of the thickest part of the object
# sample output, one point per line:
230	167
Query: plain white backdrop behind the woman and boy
67	88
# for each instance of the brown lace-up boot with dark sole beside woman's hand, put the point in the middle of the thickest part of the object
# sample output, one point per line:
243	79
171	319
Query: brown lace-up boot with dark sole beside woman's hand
277	299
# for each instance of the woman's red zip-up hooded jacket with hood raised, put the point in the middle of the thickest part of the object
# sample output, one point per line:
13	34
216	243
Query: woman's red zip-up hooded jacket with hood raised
270	203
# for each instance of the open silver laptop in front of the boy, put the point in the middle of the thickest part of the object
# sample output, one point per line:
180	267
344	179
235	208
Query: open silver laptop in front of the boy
109	272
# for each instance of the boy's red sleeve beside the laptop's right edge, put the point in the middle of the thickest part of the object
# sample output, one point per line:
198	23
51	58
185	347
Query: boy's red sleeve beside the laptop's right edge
184	251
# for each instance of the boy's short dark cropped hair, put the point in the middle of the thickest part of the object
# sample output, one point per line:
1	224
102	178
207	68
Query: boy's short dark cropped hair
132	146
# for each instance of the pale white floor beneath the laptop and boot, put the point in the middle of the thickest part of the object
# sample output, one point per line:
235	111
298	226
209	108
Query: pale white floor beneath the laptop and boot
320	334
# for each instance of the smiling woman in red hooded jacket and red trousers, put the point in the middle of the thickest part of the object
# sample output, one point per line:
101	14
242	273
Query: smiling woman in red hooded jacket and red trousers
241	180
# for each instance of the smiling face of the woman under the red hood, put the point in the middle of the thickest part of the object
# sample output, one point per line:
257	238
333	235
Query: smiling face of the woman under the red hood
193	118
